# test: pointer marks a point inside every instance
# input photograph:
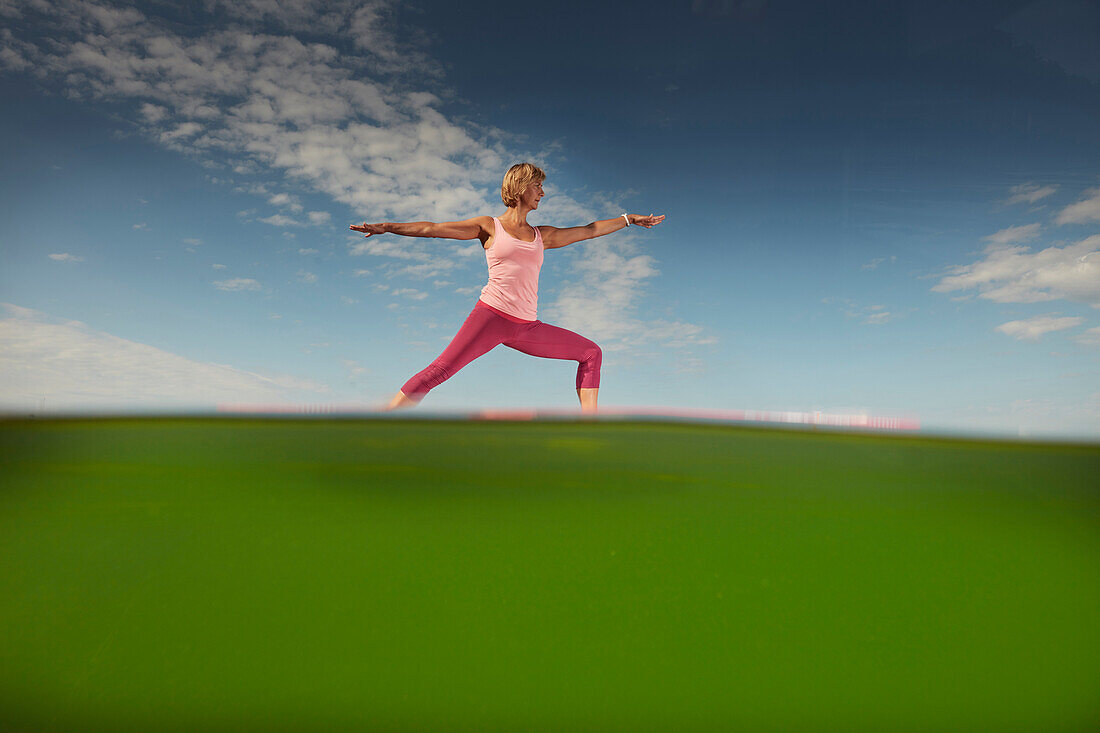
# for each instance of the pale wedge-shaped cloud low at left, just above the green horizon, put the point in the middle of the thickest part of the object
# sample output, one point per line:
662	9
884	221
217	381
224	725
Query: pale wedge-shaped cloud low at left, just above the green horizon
73	367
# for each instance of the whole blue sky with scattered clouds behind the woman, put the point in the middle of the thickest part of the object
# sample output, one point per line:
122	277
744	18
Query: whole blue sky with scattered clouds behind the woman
882	209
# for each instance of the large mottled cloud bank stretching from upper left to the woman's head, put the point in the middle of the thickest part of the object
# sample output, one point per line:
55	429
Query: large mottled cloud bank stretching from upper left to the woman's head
251	95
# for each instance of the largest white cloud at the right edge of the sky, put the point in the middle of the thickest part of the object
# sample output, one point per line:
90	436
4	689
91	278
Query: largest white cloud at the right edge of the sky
1014	275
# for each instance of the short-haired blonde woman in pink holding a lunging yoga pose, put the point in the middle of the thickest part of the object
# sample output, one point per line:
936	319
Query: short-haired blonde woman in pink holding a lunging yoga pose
507	311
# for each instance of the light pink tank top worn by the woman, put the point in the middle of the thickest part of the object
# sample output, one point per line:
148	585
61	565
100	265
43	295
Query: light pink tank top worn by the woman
514	269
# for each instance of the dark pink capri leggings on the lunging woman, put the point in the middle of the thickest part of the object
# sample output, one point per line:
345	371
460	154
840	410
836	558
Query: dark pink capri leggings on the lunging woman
485	330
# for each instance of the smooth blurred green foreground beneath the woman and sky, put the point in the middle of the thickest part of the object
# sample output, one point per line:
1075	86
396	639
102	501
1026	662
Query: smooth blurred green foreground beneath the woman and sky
406	575
